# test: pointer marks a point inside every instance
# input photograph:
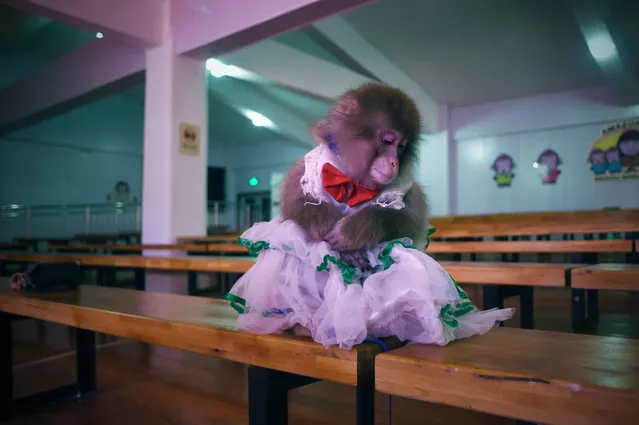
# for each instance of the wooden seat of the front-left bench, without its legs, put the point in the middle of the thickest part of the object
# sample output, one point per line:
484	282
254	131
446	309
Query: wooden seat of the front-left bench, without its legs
196	324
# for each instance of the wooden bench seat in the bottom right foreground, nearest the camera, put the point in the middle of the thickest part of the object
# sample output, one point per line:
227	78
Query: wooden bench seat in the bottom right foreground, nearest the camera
544	377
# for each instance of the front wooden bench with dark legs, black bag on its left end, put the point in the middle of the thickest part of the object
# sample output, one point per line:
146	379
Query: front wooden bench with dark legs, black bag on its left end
200	325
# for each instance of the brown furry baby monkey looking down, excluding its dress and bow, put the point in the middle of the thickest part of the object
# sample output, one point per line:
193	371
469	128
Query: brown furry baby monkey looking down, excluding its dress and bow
374	133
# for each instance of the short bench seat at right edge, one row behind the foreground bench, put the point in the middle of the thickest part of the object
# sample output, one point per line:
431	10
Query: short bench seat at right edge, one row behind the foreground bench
623	277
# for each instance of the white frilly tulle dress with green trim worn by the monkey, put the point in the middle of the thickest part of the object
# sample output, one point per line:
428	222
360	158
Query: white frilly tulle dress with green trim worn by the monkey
297	281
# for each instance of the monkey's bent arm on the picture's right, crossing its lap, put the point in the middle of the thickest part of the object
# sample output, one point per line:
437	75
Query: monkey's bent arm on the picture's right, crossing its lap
376	224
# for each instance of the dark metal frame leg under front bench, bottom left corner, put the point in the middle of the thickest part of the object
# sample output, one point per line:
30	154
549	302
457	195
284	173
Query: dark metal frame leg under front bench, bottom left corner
86	376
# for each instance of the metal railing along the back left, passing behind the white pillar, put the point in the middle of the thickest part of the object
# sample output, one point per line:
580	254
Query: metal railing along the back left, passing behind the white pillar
65	221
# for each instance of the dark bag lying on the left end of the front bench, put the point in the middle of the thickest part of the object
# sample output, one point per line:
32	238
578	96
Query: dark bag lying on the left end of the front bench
48	277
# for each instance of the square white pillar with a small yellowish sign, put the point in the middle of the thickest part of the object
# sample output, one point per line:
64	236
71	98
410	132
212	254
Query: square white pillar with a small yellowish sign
174	176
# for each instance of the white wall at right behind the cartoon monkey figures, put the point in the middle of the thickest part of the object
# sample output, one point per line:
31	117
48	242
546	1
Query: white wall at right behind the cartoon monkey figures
567	122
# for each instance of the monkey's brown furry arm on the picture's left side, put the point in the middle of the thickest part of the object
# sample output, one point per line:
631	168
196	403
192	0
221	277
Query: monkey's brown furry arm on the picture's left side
317	220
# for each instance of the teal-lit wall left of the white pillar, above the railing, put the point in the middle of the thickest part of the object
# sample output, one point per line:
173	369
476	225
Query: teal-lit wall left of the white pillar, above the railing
76	157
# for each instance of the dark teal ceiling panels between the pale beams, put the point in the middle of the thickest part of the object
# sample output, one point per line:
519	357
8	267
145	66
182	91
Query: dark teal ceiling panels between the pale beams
460	52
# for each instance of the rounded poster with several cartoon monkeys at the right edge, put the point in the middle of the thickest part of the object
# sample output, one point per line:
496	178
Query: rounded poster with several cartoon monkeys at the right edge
615	154
